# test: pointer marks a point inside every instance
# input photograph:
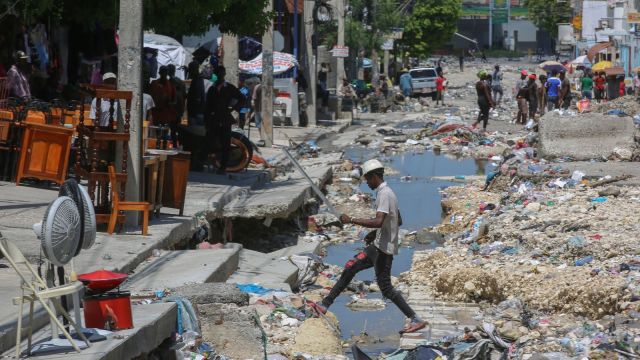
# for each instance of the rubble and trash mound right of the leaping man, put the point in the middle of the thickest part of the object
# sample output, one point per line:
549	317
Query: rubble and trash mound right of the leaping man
554	243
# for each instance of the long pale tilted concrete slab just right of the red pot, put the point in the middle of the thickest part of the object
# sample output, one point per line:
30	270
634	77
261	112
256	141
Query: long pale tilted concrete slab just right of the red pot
178	268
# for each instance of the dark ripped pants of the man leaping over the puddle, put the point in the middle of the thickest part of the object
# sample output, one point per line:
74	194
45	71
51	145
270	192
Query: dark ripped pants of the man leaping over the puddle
381	262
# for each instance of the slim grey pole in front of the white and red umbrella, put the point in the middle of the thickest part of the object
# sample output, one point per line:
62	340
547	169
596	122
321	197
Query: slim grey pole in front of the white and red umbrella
267	83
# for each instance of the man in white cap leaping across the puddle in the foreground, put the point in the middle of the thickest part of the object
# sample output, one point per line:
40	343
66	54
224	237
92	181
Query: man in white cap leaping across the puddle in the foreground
381	247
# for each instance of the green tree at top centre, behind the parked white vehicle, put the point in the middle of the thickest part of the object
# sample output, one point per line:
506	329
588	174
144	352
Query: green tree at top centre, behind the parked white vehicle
430	25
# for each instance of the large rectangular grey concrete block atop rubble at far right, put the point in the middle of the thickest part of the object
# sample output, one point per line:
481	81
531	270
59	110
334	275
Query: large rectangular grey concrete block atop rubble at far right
585	137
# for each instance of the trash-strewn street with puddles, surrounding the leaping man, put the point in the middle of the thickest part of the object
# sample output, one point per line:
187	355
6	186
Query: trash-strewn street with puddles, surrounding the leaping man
499	242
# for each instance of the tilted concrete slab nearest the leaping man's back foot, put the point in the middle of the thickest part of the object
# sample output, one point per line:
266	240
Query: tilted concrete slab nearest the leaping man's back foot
264	269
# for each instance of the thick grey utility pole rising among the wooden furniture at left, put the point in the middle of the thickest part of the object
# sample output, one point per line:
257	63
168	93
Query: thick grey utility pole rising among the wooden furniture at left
130	79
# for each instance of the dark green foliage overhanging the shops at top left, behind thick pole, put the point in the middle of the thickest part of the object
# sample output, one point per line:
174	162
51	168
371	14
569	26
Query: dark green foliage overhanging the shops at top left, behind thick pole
171	17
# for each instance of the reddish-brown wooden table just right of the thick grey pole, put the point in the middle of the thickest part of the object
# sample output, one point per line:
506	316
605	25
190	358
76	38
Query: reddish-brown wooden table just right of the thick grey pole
176	177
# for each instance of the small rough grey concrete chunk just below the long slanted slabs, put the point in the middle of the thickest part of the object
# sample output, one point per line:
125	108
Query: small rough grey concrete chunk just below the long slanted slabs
211	293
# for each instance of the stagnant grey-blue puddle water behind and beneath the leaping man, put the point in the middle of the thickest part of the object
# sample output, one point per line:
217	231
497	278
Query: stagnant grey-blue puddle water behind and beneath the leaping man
419	202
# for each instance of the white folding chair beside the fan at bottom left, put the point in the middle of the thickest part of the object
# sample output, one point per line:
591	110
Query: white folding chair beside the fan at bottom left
35	289
